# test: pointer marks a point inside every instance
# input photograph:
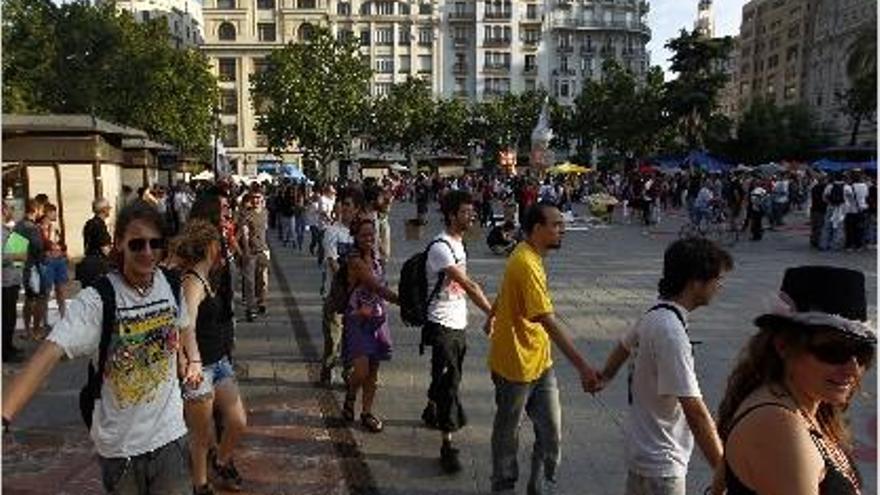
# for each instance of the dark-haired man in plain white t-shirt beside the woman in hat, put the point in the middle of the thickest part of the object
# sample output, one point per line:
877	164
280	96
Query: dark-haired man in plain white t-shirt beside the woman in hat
667	412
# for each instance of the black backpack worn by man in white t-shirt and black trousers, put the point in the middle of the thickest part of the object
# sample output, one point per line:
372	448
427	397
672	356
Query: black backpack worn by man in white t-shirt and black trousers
412	288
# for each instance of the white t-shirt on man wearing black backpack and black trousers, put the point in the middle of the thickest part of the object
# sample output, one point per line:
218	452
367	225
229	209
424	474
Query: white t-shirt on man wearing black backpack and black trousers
449	306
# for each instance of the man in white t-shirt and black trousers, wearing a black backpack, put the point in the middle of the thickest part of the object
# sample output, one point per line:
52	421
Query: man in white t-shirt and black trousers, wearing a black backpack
449	287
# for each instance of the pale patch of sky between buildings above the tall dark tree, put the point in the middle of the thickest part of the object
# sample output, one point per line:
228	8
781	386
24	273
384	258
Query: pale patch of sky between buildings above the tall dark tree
667	17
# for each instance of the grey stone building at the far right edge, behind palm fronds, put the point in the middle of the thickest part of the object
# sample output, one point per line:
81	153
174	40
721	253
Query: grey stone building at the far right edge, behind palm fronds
832	31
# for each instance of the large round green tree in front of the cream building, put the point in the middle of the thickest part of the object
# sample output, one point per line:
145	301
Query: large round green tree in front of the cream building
314	94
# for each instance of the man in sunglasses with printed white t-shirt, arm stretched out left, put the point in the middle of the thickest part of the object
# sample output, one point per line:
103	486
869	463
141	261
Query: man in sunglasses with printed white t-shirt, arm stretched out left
137	422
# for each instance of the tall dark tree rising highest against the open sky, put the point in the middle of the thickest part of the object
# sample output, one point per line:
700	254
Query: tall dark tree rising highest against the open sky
692	97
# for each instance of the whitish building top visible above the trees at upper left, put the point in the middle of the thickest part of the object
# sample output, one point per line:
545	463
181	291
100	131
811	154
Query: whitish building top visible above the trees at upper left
184	17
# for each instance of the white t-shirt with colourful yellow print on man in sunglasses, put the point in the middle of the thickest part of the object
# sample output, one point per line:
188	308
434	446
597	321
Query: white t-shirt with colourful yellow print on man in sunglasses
141	408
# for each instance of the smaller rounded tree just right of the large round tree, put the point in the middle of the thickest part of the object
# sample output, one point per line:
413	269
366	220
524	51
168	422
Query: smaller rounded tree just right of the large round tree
403	118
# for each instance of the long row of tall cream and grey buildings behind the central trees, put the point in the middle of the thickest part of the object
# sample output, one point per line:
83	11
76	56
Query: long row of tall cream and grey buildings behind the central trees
471	49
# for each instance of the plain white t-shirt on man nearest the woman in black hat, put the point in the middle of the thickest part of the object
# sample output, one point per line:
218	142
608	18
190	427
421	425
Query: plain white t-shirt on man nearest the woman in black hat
659	441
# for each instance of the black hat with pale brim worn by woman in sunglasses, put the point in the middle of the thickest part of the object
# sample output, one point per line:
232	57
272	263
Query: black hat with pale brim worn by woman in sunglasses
822	297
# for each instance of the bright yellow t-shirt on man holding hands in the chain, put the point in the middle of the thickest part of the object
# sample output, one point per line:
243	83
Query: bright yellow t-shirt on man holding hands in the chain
519	349
